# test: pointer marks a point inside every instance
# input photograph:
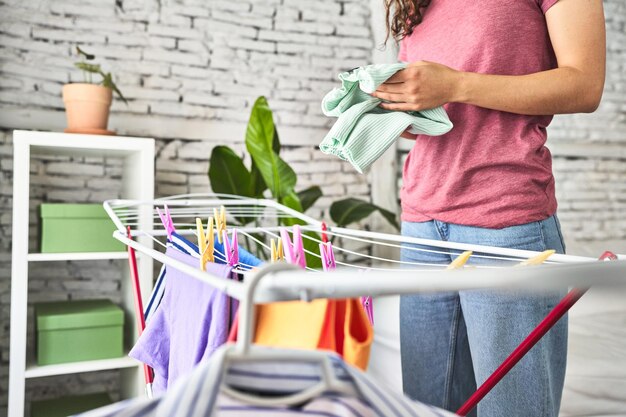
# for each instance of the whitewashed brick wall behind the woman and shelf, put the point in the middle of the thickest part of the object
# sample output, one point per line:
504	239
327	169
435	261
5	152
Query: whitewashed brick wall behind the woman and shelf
199	66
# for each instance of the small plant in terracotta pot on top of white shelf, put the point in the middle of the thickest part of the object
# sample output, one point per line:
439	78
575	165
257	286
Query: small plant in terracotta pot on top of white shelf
87	104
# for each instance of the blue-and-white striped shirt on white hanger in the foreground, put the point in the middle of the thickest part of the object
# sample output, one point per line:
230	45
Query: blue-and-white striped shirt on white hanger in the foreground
199	395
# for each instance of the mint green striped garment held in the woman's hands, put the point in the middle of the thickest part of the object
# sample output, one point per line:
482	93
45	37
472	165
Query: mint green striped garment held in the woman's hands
363	130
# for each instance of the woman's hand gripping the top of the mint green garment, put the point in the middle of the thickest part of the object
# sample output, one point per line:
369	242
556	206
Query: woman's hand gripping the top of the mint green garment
421	85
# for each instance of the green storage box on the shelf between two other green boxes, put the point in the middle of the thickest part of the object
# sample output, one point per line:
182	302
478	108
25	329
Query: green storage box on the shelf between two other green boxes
73	331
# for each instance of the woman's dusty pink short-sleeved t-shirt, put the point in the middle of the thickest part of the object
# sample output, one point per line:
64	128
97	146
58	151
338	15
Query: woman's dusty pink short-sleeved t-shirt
492	169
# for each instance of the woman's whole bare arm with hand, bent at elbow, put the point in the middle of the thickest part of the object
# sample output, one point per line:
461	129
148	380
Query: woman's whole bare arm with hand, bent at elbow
577	33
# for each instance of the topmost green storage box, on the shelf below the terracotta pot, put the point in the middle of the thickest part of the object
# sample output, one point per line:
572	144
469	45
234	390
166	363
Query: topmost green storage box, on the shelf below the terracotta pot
77	228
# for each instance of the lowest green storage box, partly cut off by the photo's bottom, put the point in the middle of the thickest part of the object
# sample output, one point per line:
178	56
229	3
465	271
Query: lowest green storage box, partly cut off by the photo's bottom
67	406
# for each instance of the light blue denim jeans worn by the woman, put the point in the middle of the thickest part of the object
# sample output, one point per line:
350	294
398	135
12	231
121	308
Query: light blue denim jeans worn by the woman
451	342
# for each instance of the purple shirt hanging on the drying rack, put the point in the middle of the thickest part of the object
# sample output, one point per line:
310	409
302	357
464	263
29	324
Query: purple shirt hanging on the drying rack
191	323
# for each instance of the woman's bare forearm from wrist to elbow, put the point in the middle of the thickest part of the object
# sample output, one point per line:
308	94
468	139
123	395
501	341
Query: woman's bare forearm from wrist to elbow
557	91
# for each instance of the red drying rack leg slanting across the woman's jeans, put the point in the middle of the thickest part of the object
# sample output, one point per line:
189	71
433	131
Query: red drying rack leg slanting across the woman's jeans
546	324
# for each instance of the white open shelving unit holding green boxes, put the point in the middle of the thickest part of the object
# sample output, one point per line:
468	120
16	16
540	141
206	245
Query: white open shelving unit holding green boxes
137	183
